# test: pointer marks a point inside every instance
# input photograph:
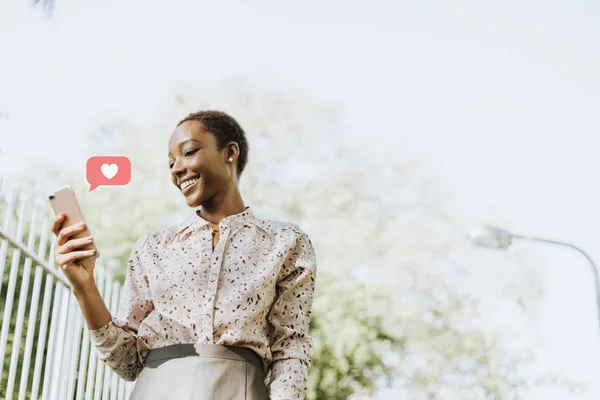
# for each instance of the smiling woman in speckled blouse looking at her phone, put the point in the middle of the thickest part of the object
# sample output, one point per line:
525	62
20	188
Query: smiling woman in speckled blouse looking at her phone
216	308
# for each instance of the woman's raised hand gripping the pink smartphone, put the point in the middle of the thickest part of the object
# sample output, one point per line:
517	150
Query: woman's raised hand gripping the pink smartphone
69	255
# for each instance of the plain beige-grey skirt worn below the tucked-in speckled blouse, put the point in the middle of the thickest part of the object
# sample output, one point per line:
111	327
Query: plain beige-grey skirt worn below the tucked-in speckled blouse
213	372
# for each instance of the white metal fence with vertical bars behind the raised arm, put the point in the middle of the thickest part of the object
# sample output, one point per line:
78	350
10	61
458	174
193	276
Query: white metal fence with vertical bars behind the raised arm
45	349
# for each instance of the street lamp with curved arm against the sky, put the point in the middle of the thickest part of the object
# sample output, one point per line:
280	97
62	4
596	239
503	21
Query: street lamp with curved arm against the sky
496	238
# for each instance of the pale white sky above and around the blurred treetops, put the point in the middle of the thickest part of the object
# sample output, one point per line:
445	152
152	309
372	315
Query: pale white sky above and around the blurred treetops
502	100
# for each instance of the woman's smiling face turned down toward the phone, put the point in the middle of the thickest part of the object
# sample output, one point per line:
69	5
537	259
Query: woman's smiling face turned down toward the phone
198	168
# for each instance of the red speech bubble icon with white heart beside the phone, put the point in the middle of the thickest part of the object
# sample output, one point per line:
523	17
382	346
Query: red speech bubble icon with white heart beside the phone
107	171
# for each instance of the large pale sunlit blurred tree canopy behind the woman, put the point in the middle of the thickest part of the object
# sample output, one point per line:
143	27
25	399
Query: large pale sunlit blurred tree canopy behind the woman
386	306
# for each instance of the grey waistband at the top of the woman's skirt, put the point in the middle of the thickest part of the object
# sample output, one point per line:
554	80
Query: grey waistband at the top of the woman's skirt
158	356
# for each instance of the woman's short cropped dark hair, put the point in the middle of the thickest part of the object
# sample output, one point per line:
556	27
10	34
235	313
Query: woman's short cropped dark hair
226	129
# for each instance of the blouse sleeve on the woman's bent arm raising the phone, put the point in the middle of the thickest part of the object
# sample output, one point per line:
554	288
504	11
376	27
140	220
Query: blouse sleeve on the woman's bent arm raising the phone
116	342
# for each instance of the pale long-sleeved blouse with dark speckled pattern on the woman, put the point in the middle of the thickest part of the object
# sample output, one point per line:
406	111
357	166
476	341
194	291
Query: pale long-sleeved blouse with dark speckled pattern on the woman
254	290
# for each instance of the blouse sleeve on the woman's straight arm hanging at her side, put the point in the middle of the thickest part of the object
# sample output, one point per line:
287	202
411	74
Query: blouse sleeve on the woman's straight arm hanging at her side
289	318
